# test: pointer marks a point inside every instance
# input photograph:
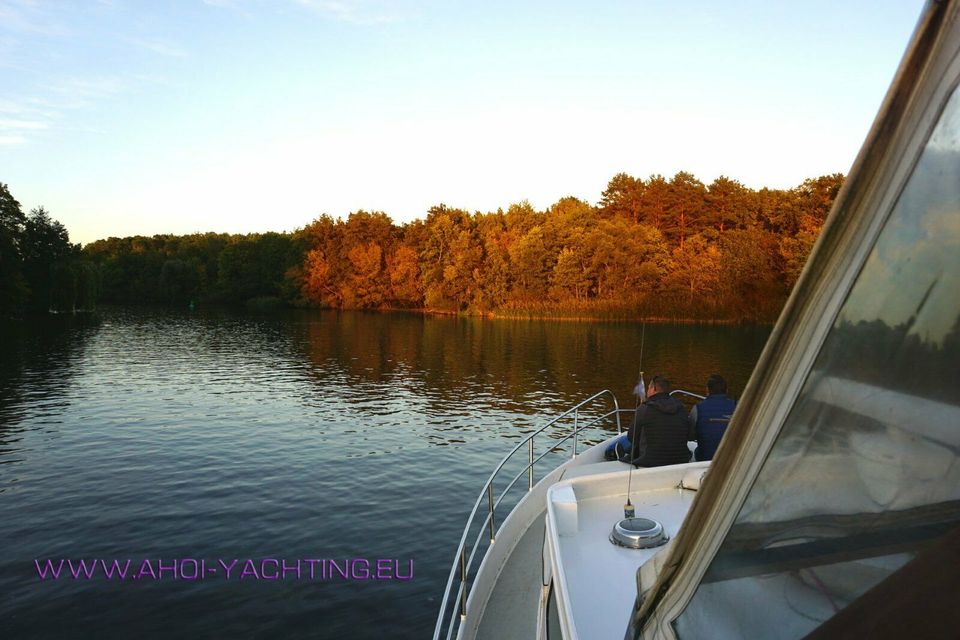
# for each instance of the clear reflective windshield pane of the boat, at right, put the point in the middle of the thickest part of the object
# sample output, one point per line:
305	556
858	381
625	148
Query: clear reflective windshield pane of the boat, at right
865	471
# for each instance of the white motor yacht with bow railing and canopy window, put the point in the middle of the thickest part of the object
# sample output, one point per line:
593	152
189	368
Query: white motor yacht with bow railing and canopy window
832	506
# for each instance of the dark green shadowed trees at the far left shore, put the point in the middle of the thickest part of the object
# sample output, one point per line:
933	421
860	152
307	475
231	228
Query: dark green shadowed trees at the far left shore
40	270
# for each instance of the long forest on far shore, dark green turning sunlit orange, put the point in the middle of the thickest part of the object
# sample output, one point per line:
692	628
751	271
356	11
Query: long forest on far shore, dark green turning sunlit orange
668	248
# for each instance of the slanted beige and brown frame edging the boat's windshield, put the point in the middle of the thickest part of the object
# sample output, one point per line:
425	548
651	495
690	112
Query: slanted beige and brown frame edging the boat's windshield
928	76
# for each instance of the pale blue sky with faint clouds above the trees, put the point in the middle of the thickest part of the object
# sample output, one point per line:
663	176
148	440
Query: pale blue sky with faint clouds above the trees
142	117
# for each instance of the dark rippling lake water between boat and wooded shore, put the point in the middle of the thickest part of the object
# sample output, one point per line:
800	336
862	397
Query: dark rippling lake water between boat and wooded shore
145	434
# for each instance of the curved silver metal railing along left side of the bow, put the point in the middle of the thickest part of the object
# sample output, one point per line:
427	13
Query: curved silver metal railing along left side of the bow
463	562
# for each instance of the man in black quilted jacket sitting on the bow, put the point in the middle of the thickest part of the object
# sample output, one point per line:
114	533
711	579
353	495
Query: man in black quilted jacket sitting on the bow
659	429
